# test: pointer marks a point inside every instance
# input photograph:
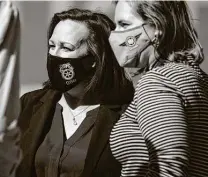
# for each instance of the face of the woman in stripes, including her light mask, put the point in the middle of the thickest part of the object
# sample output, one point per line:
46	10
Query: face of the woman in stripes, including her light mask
131	41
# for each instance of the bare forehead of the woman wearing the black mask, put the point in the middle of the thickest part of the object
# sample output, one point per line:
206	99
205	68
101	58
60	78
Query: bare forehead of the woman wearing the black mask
70	31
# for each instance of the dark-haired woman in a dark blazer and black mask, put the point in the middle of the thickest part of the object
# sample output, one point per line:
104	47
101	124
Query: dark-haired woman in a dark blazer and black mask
83	74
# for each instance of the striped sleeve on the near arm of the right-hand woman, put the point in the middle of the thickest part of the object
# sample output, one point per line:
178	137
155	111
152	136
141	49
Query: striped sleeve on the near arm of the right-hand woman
162	120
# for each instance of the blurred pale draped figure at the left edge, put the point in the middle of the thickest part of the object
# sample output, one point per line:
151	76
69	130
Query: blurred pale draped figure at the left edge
9	89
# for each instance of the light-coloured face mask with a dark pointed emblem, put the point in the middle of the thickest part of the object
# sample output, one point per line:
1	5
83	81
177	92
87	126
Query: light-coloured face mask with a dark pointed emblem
126	48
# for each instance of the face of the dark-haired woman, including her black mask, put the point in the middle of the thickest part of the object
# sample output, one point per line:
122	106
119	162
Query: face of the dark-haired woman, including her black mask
65	63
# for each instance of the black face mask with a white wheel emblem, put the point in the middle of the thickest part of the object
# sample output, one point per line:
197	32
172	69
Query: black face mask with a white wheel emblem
66	73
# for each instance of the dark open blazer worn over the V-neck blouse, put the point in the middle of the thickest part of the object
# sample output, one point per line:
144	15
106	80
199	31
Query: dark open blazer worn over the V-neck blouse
35	120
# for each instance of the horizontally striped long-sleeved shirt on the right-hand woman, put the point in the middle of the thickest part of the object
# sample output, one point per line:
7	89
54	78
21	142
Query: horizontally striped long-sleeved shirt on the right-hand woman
164	131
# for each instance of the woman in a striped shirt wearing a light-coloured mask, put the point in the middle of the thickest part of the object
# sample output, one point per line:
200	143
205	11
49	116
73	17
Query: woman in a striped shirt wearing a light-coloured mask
164	131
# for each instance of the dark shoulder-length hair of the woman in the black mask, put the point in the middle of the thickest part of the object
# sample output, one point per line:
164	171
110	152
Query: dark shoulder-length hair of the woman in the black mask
108	75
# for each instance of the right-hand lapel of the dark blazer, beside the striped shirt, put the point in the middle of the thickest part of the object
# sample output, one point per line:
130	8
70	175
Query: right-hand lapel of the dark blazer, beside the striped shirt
106	119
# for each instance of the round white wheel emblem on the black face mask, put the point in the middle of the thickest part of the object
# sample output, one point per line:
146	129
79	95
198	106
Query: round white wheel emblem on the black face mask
67	71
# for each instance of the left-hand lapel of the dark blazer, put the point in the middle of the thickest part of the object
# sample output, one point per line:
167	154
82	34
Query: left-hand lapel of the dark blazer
40	123
